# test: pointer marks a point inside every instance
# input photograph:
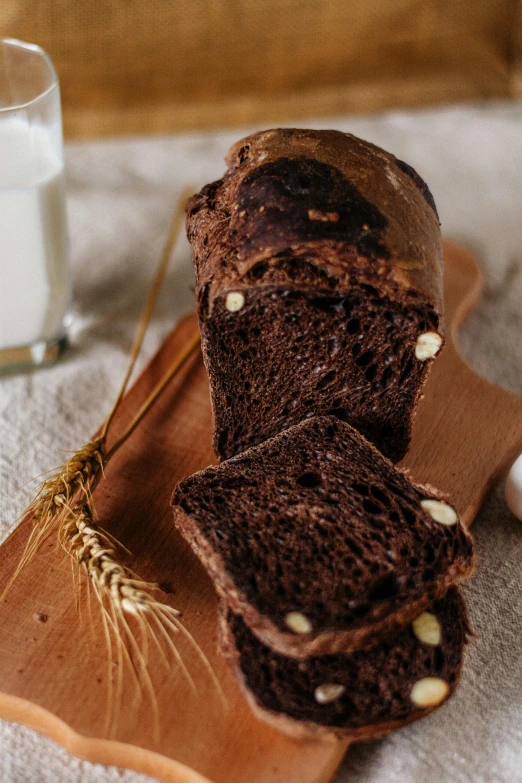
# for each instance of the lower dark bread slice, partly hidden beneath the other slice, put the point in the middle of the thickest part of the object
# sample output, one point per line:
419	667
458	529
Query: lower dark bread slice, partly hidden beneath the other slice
358	696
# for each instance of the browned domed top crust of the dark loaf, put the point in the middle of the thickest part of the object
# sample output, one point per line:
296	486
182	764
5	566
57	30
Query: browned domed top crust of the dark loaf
344	205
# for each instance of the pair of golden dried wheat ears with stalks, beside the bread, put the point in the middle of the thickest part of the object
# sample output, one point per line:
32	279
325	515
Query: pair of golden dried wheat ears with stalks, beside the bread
64	504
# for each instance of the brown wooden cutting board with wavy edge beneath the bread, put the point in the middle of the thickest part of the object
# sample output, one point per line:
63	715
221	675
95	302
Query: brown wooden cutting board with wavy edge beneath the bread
53	674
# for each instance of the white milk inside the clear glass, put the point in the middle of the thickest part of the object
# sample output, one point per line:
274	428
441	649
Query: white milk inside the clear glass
34	280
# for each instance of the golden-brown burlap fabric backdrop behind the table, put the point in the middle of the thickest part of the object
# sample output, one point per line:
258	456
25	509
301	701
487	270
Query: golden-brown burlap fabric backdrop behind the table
130	66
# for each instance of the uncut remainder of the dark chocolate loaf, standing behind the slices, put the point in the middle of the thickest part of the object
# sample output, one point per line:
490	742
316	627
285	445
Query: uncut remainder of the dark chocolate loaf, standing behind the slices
319	287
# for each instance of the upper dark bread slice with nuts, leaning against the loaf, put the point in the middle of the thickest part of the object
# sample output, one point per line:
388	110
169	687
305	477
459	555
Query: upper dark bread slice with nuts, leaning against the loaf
319	541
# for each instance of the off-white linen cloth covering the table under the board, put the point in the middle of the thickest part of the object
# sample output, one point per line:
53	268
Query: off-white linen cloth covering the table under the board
121	195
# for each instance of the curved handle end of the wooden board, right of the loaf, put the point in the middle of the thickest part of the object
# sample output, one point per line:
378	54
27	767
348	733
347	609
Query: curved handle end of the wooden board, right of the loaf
467	431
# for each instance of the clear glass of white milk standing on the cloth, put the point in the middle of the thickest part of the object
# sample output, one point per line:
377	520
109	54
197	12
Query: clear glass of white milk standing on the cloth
35	287
